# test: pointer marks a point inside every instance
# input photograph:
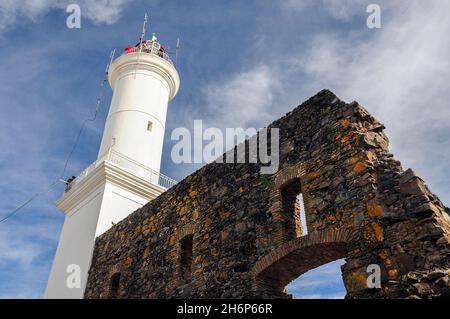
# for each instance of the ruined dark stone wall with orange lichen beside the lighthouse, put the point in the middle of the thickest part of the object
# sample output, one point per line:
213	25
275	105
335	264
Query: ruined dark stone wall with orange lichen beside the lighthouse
246	236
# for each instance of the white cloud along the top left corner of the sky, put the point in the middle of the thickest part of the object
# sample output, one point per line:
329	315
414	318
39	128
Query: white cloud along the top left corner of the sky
99	11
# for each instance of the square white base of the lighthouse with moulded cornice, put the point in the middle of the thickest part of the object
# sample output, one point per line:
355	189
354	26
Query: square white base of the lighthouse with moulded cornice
103	198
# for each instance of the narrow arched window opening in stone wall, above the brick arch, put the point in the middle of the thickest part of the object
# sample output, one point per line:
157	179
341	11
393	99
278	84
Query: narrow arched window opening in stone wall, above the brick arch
294	217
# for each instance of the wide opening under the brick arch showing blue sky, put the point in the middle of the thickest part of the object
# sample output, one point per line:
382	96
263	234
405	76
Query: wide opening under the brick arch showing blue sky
324	282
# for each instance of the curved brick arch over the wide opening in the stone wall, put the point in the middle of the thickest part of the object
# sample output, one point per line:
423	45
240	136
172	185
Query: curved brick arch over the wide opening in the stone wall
276	270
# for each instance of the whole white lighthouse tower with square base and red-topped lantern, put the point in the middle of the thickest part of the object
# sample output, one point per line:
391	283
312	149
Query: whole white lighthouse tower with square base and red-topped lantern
126	174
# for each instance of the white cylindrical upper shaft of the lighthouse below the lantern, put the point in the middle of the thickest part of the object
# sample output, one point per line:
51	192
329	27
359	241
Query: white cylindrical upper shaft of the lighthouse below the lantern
141	96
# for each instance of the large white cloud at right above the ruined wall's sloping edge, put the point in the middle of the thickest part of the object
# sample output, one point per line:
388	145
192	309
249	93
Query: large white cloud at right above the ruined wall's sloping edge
401	74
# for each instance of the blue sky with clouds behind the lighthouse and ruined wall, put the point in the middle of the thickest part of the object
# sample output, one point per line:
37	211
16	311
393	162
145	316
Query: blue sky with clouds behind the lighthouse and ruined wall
242	64
